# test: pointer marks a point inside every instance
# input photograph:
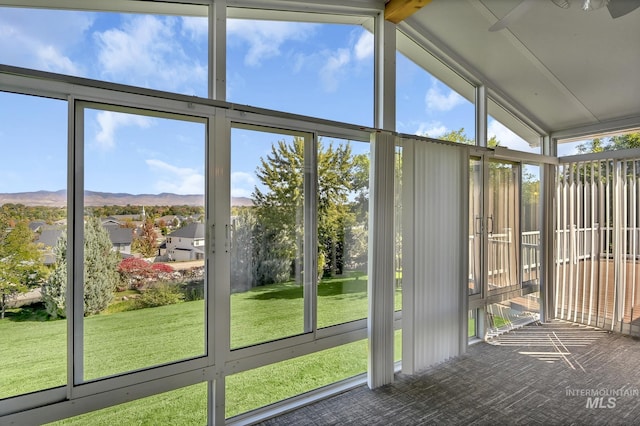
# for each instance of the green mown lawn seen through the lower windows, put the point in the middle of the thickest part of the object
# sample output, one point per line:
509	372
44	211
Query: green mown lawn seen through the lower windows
33	352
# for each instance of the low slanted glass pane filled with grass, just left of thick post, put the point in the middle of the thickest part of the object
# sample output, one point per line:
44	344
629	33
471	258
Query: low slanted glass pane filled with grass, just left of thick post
246	391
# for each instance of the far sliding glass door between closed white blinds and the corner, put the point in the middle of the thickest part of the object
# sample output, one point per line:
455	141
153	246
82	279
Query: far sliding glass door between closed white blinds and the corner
504	244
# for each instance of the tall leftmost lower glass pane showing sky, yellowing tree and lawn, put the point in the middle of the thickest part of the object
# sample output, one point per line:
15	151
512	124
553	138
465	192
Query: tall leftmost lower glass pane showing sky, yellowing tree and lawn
33	218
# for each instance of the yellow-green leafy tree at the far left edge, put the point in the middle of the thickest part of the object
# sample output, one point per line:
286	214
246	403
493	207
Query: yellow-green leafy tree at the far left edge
21	267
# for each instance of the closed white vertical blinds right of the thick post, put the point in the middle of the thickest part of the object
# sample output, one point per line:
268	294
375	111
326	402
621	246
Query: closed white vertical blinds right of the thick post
435	252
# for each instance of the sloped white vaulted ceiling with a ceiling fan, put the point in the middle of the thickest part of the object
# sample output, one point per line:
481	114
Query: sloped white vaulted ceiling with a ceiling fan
569	70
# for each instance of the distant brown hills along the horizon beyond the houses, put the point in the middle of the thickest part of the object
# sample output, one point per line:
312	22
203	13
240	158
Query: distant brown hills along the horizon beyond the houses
59	199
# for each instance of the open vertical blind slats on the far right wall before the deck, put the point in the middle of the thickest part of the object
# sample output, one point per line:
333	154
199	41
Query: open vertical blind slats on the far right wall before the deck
597	244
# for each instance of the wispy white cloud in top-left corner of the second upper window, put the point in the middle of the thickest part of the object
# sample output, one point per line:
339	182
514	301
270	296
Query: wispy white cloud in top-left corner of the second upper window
265	38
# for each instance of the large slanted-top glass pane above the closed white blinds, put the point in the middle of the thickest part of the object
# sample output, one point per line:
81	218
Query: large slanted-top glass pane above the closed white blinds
426	105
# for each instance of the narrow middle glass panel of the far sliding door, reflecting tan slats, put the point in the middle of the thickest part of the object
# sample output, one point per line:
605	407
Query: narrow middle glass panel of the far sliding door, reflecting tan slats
503	216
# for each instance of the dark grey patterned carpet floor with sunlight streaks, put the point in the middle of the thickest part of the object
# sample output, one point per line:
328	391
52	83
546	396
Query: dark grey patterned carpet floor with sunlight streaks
550	374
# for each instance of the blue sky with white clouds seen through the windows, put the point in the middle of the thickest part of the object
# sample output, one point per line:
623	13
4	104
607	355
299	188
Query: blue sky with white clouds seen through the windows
311	69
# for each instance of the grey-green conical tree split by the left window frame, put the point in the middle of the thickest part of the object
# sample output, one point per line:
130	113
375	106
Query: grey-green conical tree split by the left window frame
100	276
